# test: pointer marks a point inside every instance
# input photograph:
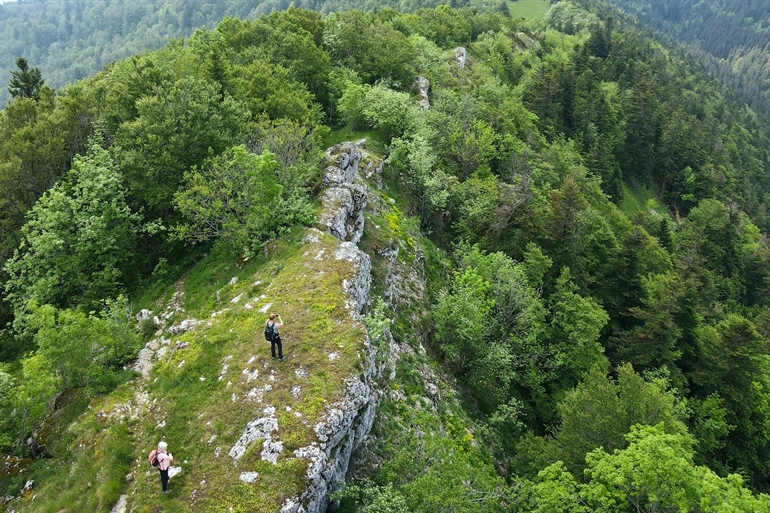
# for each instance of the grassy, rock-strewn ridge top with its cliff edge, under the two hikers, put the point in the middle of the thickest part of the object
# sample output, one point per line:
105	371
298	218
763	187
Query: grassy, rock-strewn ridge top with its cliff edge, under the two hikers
249	433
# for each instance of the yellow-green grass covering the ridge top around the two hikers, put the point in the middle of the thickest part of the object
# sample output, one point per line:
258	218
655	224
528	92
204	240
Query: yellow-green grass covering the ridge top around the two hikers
198	411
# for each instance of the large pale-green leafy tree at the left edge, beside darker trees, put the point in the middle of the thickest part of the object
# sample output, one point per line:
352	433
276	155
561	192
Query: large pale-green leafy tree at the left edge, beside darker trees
77	240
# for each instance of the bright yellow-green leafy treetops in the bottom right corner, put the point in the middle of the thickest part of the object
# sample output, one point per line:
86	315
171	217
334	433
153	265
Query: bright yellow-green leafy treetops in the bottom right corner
654	473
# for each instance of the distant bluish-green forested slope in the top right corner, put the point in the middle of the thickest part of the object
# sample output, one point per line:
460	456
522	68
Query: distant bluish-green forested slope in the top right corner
731	38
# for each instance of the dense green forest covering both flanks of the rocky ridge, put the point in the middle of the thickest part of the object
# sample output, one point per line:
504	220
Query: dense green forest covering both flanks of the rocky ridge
604	308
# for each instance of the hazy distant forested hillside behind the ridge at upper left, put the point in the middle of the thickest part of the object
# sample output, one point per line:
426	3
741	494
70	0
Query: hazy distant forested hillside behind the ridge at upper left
73	39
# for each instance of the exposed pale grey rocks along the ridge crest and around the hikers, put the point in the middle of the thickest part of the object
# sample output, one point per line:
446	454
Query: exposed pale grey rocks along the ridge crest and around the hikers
345	423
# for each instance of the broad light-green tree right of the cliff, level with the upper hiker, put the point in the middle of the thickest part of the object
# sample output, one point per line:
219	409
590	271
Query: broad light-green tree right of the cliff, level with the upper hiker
491	326
